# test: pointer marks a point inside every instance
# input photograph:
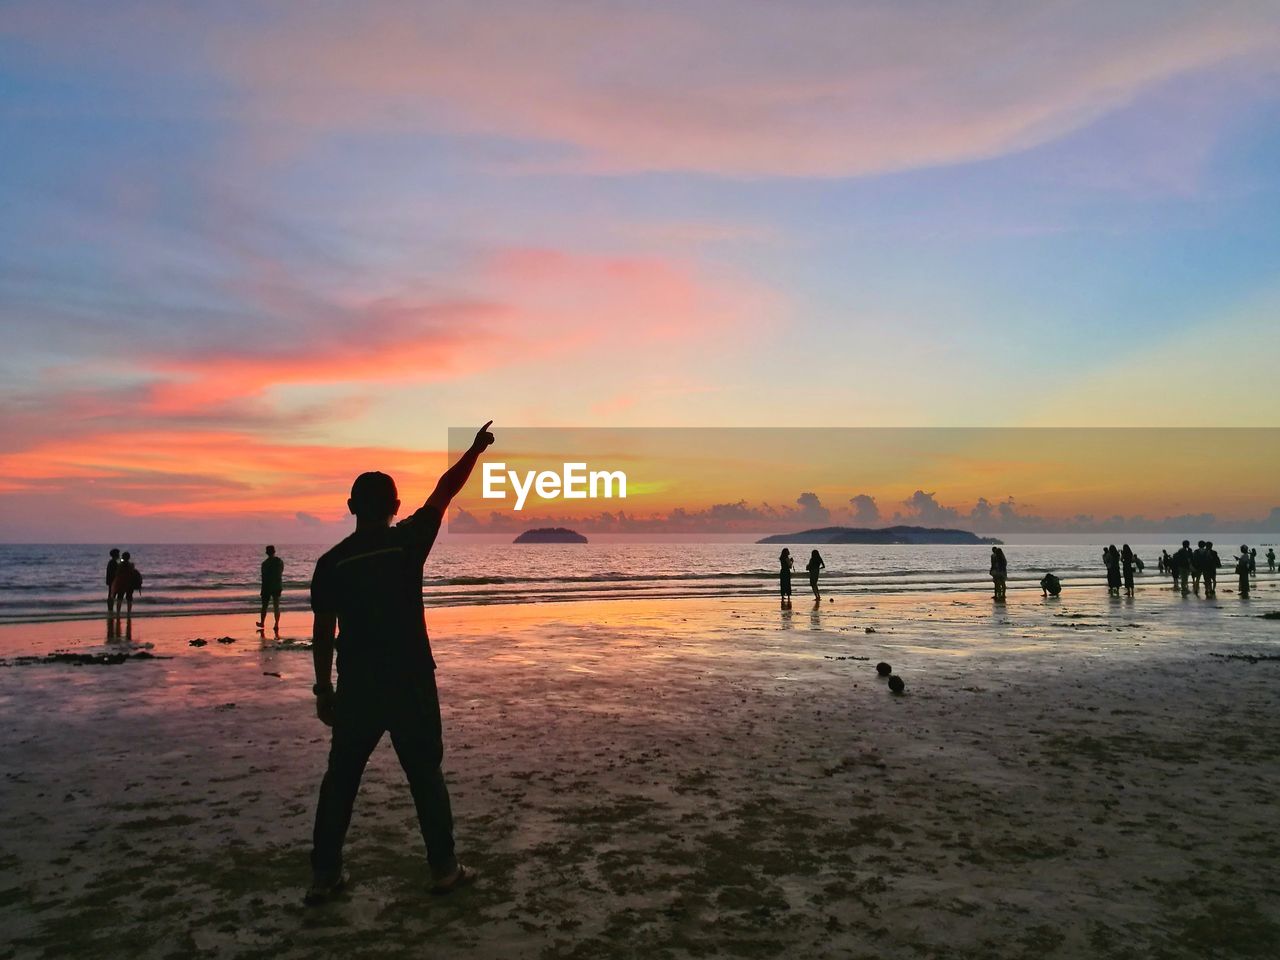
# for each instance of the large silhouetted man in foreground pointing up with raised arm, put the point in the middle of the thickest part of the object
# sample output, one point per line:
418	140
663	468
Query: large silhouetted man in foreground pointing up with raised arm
369	592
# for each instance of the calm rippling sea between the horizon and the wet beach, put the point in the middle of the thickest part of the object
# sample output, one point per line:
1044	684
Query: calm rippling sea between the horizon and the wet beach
67	582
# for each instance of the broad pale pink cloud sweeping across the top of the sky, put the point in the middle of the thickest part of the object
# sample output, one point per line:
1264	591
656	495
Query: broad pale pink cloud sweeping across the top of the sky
742	89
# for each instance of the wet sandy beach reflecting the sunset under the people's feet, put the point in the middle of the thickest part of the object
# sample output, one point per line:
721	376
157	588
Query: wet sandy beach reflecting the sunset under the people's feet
1082	779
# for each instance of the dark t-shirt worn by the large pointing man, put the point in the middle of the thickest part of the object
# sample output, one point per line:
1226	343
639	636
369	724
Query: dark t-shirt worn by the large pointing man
373	583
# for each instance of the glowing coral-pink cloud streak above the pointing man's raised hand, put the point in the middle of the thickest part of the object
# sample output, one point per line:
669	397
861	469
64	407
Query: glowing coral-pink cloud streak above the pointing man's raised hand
537	305
